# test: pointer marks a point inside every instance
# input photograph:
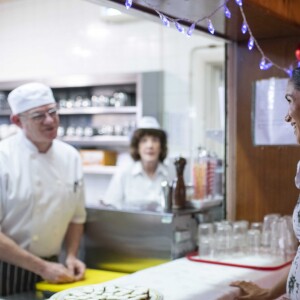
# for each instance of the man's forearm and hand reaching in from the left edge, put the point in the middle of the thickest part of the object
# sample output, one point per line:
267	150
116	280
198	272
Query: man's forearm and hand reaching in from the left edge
12	253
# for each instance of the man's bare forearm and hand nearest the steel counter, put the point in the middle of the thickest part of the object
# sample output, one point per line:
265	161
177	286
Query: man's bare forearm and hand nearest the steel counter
72	242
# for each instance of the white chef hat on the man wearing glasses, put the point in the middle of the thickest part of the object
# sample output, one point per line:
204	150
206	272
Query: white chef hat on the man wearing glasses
28	96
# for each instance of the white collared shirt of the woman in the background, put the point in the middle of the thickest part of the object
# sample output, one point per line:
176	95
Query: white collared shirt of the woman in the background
132	188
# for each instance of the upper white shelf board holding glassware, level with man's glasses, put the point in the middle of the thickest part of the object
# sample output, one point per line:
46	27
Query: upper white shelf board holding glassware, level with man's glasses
98	110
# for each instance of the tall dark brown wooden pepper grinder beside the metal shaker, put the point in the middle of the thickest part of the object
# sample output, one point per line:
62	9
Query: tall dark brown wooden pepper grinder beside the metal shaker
178	187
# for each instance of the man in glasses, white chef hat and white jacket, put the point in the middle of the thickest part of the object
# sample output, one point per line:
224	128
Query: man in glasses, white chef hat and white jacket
41	196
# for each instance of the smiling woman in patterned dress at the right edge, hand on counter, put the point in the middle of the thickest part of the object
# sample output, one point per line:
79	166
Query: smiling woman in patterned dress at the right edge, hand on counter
289	284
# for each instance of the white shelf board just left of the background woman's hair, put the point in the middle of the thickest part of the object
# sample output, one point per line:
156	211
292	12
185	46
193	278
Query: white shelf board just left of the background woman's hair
103	140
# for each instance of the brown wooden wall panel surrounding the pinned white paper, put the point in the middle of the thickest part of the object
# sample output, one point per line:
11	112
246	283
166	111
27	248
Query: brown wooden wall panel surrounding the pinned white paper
264	175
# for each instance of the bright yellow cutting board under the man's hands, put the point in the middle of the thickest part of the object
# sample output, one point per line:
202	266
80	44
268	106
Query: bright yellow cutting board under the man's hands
91	277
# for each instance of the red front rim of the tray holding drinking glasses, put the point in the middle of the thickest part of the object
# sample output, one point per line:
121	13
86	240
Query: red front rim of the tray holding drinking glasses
194	257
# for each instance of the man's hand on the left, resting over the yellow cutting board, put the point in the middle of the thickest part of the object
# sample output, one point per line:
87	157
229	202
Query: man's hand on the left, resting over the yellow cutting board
56	273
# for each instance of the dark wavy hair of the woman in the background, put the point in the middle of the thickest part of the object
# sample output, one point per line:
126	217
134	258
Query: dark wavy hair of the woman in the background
139	134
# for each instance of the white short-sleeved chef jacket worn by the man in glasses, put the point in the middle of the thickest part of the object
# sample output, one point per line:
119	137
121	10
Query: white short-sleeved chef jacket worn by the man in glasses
40	193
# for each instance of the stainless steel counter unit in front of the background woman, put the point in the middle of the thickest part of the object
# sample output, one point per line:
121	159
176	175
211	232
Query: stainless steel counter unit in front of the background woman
114	238
